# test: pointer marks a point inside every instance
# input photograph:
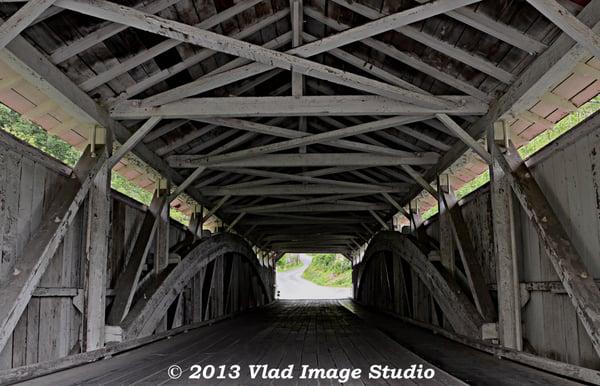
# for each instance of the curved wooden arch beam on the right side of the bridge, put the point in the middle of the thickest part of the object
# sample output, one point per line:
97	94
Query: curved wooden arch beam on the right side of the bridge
456	306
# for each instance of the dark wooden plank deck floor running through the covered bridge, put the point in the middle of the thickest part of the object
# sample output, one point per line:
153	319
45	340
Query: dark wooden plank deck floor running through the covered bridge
321	334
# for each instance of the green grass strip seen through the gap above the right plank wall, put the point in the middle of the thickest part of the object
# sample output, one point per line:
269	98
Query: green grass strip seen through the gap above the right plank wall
535	145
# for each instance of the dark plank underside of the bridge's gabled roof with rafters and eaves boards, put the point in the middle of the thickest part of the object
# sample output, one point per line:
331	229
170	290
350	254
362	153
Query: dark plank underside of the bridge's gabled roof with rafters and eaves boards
331	192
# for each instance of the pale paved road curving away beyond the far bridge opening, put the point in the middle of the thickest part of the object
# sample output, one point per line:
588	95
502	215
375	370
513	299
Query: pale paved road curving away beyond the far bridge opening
291	285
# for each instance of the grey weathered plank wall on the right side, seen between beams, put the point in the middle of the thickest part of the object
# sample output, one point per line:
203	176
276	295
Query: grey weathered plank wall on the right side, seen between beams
570	176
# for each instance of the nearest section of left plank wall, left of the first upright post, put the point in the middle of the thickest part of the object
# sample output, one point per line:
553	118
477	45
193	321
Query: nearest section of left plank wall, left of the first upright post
28	188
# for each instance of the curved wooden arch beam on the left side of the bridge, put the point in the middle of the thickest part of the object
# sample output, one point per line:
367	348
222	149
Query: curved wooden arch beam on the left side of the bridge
144	321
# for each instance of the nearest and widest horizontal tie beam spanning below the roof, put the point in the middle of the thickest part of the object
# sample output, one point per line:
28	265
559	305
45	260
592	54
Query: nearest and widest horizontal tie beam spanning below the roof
197	108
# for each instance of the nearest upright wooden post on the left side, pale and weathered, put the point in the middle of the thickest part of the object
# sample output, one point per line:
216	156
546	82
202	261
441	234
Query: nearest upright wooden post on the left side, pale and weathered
98	246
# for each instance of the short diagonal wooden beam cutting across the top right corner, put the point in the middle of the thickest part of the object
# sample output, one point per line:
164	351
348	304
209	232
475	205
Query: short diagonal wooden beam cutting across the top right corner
570	25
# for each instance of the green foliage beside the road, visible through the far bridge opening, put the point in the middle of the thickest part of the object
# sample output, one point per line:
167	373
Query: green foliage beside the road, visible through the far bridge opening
328	269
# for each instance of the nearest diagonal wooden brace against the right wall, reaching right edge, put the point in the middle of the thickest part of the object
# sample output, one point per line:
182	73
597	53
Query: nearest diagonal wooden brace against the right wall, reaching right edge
567	262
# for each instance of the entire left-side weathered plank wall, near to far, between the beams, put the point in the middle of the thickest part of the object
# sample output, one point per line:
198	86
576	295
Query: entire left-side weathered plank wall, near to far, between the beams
49	327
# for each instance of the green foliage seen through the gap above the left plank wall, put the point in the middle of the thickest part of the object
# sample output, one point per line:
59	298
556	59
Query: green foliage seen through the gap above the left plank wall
37	137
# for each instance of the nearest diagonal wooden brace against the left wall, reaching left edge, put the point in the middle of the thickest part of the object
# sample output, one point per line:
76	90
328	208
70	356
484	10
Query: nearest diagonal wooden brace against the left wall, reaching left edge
44	242
